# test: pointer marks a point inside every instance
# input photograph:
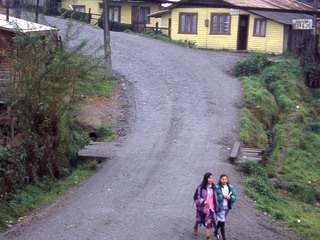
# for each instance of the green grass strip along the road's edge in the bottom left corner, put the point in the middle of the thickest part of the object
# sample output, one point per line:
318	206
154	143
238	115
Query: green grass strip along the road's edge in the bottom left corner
34	196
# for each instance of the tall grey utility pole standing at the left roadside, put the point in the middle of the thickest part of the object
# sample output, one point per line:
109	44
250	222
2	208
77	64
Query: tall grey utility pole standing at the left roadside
106	37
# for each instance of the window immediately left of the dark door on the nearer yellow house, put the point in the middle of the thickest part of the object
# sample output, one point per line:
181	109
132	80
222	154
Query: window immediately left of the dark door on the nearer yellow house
220	23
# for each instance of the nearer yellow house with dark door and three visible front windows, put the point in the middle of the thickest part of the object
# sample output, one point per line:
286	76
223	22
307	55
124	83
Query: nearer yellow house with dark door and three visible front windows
231	28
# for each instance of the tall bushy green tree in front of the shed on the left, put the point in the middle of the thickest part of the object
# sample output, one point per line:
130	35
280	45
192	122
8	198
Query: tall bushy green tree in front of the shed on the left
47	78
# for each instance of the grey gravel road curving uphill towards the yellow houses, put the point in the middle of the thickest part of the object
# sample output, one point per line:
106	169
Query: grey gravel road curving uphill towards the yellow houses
184	122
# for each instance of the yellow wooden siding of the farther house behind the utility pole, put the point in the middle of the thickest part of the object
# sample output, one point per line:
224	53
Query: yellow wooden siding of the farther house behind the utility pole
125	9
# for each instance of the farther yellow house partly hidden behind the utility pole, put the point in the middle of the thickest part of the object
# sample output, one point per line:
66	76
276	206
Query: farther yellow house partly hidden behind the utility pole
124	11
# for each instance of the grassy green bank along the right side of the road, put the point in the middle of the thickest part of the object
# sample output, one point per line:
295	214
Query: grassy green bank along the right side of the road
292	112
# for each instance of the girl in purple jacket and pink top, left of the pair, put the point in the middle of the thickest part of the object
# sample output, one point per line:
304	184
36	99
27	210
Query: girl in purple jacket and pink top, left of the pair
207	204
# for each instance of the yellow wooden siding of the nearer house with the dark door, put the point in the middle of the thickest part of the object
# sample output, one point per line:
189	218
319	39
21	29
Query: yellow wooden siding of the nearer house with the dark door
272	43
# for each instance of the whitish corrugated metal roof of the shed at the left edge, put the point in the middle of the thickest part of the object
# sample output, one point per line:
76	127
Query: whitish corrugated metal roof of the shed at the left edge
22	25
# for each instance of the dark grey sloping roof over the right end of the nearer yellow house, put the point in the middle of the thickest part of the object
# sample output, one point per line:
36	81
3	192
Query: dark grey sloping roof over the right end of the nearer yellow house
281	17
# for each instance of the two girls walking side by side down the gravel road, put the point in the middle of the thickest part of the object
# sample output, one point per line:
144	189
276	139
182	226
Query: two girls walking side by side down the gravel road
211	199
